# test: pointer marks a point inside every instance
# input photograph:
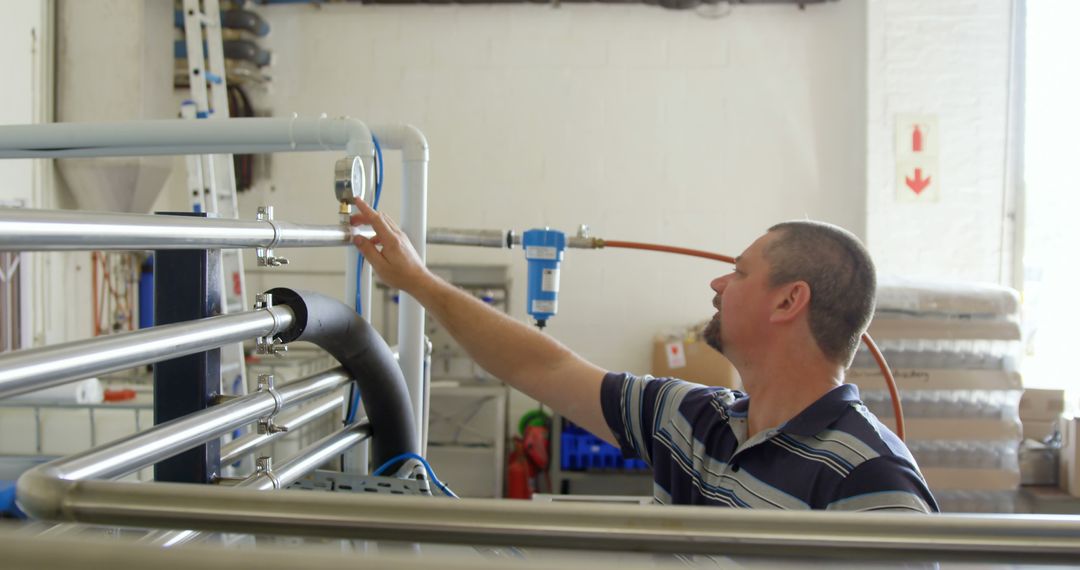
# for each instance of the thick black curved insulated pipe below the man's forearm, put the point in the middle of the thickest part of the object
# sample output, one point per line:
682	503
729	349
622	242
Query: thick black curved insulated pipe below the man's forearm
340	331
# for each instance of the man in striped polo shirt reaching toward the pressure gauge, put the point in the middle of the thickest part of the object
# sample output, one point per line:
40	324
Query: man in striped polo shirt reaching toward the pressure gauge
789	318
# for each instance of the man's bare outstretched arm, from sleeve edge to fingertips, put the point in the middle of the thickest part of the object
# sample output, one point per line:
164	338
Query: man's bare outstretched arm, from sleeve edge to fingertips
525	359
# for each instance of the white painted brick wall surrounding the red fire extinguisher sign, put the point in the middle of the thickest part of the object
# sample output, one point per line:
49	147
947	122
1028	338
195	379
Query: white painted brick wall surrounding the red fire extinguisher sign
949	59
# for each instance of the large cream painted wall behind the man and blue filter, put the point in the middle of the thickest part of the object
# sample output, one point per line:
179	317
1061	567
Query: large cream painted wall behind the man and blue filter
647	125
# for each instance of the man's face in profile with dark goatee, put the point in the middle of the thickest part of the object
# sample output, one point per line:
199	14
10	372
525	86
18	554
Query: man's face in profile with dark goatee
742	302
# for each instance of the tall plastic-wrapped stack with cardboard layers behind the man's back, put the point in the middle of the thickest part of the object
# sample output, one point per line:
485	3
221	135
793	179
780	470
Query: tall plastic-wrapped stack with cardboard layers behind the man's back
953	349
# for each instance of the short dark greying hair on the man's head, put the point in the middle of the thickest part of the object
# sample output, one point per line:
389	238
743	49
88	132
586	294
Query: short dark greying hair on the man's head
842	278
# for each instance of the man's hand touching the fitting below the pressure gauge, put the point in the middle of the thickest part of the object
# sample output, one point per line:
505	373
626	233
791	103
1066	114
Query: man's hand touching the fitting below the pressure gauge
390	252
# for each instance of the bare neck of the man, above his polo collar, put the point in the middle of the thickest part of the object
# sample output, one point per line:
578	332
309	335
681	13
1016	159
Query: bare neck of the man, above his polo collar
782	388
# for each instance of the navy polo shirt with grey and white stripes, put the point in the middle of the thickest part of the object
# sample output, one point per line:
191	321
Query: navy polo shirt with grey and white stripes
835	455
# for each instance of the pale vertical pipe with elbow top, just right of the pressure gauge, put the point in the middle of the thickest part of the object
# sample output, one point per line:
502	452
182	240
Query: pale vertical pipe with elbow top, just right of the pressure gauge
411	314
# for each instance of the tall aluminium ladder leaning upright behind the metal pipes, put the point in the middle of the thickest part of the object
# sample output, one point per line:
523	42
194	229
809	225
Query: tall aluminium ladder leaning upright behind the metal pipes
212	182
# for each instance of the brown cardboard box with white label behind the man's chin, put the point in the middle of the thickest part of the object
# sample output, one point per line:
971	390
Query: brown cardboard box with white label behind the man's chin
696	362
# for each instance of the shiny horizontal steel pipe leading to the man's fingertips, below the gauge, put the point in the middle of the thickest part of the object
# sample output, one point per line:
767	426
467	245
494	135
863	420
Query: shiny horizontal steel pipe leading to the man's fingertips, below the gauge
40	230
